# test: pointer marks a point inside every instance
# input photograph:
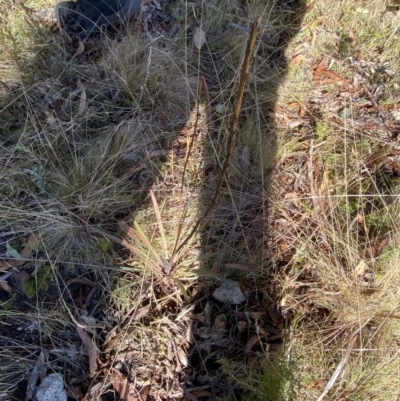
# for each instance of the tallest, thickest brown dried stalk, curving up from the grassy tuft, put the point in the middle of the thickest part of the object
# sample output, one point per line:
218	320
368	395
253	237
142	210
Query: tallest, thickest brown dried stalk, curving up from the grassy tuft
231	138
